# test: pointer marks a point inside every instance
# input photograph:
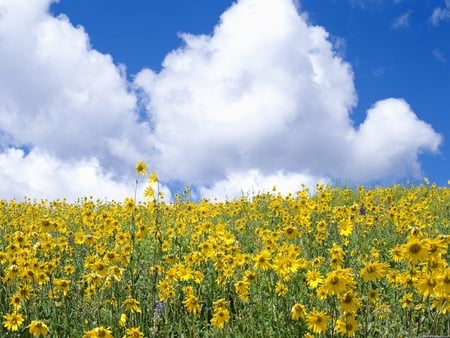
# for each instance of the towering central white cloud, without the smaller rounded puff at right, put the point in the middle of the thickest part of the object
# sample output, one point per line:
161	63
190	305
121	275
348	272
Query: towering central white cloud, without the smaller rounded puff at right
252	95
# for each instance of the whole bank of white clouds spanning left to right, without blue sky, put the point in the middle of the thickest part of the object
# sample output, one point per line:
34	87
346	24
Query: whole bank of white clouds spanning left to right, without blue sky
264	100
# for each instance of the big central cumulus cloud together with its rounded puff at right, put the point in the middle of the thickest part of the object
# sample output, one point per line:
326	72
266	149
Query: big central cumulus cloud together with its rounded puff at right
266	90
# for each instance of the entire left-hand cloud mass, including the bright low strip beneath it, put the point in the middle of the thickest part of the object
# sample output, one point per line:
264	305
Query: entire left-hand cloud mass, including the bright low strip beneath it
68	105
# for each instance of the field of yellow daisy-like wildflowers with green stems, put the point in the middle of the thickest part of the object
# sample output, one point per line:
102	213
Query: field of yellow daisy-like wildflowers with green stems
338	263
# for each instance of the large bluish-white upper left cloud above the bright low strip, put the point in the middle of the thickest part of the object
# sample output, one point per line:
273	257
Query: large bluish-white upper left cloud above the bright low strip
59	94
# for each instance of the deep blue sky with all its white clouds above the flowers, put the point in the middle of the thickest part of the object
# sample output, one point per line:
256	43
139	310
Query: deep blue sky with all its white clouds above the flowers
230	97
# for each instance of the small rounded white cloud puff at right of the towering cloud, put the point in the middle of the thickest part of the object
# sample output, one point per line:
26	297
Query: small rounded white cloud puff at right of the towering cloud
389	141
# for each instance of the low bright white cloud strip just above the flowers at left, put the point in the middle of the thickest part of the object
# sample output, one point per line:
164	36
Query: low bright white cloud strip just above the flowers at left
39	175
